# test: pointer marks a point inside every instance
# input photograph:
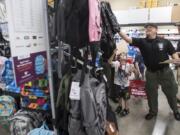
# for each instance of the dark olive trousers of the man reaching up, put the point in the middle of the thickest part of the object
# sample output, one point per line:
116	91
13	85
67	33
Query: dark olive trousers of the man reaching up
165	78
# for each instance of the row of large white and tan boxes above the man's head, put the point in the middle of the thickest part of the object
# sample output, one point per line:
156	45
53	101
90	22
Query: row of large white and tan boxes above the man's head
138	17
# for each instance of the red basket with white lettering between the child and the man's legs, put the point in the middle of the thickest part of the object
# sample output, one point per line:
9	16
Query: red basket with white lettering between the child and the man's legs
137	88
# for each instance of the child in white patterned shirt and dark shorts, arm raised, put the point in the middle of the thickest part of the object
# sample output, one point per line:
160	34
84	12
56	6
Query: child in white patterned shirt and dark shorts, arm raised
123	71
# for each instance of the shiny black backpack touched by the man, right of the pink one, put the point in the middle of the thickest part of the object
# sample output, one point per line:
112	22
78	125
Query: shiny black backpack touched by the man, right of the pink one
110	27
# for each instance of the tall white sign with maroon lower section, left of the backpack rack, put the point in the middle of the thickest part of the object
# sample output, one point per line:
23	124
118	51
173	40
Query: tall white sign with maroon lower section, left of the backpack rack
28	38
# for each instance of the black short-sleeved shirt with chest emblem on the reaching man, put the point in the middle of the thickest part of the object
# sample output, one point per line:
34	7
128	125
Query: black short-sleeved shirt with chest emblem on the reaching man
154	51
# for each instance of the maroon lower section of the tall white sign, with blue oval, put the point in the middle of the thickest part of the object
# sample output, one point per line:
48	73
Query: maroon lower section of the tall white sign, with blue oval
30	68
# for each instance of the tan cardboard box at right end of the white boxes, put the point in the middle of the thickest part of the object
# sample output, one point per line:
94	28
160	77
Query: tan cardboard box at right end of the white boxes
175	14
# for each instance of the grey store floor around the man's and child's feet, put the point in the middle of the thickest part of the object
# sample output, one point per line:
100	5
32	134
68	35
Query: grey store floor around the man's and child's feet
135	124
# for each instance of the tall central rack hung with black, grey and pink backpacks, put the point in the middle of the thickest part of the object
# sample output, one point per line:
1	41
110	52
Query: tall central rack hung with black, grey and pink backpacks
81	39
